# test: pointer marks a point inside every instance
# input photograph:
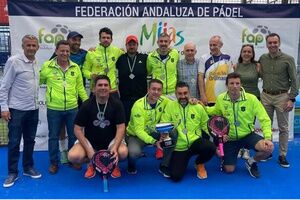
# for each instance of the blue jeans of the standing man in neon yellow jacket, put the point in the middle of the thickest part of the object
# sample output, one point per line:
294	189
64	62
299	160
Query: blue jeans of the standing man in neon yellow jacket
55	120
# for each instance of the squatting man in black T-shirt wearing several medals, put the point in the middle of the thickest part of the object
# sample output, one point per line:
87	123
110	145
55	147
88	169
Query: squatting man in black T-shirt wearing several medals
99	124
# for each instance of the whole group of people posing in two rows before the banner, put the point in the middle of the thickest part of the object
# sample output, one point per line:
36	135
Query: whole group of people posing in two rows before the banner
123	109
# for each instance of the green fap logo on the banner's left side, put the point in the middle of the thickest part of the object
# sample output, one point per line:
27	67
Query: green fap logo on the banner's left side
48	39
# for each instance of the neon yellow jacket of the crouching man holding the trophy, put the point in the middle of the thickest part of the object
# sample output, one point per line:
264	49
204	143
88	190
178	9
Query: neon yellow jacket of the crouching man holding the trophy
143	118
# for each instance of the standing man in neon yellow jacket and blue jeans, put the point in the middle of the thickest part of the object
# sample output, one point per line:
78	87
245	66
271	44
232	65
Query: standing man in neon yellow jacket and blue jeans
64	85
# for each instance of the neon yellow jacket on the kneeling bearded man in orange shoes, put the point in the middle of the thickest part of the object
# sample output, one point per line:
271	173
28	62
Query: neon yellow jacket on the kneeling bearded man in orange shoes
192	118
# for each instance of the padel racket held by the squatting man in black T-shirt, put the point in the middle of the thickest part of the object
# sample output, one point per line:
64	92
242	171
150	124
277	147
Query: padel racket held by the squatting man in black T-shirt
104	164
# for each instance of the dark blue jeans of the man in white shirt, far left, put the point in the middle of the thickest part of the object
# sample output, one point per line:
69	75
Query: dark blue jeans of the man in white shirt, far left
21	122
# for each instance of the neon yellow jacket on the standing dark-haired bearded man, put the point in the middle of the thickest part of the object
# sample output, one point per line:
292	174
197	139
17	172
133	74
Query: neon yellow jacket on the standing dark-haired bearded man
102	61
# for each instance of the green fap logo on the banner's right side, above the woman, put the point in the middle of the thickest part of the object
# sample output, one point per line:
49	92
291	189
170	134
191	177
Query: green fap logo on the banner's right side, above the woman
256	36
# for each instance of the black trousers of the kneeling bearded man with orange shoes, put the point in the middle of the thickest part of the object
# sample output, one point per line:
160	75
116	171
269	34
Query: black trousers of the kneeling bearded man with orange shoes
203	148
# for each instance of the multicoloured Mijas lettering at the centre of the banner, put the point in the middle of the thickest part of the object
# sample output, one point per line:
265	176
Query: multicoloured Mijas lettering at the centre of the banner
152	33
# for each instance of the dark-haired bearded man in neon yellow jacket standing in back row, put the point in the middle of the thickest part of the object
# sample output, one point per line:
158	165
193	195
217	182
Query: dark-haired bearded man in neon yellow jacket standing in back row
102	61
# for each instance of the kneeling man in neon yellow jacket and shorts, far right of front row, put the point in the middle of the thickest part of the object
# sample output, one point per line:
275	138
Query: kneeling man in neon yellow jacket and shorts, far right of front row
241	108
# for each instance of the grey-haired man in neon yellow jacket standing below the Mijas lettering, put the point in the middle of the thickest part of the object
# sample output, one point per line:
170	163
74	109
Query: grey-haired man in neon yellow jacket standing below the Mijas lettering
162	64
